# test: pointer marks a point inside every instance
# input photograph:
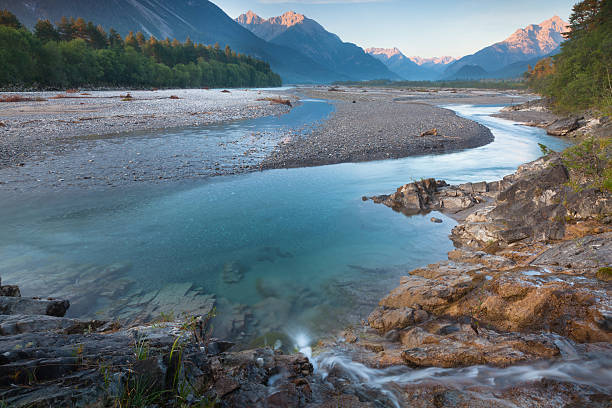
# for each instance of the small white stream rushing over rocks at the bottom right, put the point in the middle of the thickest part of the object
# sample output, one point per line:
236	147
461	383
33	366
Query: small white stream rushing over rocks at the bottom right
383	386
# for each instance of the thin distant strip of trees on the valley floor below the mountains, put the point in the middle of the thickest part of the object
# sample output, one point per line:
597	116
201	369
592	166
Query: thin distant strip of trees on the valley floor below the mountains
482	84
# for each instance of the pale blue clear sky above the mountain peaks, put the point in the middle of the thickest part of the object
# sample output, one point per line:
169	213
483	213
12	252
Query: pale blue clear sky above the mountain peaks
425	28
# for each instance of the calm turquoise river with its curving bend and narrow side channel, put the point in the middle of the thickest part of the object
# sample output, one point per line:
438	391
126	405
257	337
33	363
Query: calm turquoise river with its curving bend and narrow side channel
279	250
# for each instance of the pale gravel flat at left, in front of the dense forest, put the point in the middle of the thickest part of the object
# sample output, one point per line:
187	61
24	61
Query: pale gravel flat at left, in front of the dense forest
45	125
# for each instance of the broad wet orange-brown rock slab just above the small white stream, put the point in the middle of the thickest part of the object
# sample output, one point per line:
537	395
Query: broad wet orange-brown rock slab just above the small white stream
503	296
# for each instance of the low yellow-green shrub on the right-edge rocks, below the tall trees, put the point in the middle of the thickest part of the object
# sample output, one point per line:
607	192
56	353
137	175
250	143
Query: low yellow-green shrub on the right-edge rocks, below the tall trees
590	163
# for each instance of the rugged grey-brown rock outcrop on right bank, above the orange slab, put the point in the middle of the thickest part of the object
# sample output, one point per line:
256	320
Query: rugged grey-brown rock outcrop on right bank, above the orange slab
534	207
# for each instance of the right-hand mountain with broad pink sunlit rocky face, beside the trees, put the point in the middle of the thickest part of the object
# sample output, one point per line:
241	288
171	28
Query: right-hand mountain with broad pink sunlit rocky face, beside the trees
536	40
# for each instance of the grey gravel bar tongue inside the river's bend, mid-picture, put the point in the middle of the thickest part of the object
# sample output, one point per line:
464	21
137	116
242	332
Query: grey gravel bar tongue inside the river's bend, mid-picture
378	125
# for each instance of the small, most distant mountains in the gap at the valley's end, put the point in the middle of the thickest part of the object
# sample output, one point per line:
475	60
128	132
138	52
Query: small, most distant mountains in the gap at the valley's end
412	69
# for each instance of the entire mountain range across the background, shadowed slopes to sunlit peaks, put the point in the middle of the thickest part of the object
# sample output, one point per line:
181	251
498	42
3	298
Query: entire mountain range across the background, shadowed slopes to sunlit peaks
297	47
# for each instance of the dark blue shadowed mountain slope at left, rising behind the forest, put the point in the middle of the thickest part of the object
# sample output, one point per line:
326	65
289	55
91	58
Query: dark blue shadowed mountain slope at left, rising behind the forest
200	20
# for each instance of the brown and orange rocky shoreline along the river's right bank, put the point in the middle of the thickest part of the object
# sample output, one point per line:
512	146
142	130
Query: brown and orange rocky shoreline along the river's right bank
530	280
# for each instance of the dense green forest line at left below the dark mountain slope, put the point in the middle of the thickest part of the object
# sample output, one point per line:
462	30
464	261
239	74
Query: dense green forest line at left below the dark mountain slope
76	53
